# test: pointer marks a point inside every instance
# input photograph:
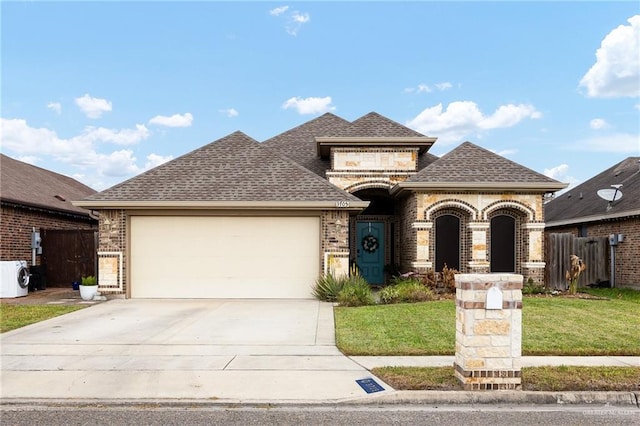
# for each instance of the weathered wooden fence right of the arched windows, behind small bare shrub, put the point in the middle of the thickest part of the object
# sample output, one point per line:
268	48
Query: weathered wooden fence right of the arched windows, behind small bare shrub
594	252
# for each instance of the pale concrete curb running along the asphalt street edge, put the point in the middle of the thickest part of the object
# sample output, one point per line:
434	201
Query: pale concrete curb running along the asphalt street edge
629	399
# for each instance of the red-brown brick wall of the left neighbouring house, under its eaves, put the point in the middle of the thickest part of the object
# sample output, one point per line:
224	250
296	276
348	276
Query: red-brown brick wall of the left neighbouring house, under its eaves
16	226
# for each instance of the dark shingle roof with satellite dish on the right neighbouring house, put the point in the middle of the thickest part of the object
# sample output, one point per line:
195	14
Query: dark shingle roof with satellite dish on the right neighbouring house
582	203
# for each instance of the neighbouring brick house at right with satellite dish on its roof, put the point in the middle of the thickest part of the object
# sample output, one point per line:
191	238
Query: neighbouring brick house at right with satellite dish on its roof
582	213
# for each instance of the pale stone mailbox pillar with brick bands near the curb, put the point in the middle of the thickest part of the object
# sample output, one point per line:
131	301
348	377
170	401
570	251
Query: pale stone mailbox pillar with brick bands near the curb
489	331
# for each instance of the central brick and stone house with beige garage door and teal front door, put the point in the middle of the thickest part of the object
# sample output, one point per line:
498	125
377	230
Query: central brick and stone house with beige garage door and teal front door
238	218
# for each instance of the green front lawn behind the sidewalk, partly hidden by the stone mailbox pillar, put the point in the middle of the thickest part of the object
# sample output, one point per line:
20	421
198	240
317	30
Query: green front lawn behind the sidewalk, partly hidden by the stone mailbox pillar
551	326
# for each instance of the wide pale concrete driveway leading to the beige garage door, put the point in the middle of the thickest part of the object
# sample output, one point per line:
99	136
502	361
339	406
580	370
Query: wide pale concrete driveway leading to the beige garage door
232	350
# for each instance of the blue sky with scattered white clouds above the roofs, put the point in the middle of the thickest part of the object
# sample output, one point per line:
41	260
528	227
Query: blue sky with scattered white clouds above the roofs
102	91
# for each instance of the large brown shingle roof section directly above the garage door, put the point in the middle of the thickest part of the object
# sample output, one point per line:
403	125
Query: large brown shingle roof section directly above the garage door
234	171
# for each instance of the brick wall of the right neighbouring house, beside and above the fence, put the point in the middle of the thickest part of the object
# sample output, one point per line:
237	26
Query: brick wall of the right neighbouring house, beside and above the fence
627	265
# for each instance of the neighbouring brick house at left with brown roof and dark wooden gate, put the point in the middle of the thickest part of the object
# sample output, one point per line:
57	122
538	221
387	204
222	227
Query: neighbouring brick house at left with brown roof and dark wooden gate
35	200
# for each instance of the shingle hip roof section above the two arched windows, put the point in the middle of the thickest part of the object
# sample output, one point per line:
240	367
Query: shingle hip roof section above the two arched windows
469	163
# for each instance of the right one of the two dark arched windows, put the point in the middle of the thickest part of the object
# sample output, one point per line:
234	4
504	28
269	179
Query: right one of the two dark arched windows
503	243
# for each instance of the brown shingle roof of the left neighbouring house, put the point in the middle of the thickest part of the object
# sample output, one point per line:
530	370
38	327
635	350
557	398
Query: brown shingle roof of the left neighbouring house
27	185
